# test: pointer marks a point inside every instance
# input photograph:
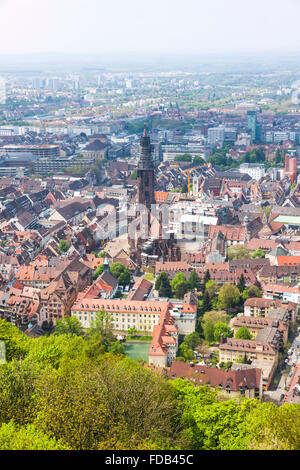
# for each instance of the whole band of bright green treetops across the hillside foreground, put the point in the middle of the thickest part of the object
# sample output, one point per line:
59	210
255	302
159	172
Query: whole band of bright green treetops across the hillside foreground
63	392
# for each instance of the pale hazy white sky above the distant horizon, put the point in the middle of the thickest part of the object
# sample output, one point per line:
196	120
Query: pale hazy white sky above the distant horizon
167	26
